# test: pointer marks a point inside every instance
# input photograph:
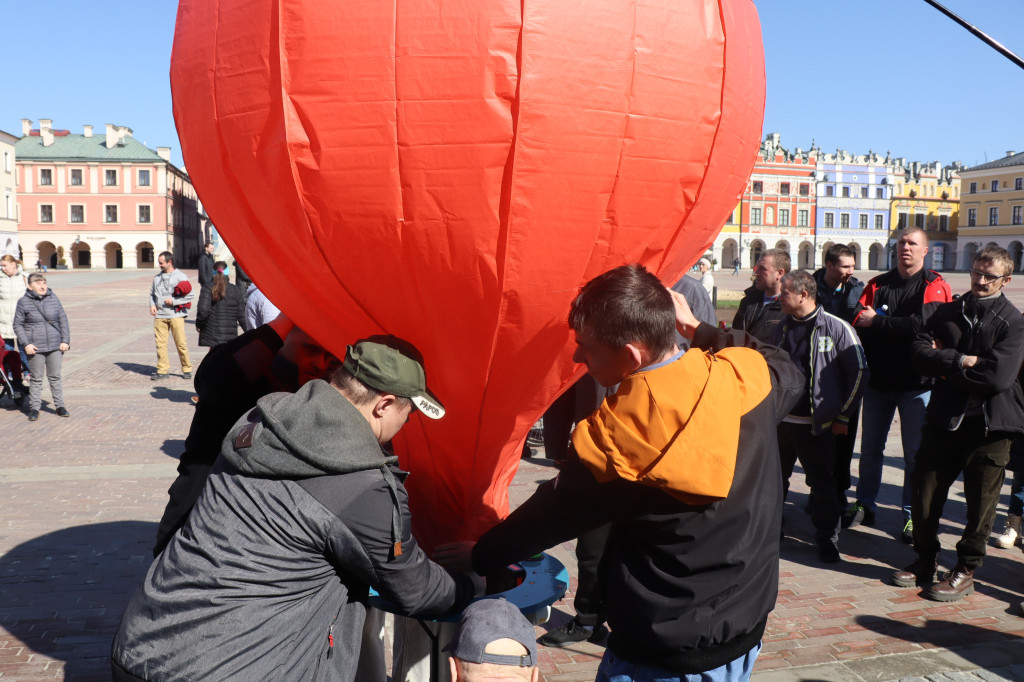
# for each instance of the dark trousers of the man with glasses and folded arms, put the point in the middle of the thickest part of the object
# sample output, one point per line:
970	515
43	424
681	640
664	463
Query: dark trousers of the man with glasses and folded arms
942	459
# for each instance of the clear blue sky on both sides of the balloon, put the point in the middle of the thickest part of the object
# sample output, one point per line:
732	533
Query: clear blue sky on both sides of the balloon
882	75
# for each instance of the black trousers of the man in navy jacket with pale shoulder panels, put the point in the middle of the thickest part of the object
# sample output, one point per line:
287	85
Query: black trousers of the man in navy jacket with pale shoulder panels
818	456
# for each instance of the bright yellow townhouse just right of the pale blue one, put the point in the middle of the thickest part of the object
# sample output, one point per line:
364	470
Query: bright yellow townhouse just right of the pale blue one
928	196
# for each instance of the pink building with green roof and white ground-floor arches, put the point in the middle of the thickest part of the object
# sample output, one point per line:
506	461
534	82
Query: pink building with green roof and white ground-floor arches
102	201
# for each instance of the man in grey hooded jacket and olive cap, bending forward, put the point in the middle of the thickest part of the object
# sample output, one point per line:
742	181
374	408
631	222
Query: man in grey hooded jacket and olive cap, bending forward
303	515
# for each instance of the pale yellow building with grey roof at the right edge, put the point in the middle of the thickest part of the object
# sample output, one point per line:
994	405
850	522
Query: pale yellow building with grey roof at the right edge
993	209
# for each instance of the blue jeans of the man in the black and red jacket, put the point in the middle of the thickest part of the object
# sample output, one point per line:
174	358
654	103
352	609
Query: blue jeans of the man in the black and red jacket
879	409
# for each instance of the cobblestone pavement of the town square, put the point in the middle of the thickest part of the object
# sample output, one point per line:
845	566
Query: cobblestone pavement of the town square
80	498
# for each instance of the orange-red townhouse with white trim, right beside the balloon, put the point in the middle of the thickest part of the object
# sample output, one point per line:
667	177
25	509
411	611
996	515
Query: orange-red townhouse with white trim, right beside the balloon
777	210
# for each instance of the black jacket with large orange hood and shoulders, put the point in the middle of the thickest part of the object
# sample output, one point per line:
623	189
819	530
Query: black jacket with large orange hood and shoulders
684	462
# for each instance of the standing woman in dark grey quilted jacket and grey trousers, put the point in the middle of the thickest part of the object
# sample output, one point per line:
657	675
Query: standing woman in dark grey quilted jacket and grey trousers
42	331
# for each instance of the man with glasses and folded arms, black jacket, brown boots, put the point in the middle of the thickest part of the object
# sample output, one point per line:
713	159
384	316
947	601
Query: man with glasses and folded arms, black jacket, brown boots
974	348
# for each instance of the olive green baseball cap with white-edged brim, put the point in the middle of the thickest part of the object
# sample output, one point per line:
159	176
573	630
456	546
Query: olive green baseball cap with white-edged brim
394	366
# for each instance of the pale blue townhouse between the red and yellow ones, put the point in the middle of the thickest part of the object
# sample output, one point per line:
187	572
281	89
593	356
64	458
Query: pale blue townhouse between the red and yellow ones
854	205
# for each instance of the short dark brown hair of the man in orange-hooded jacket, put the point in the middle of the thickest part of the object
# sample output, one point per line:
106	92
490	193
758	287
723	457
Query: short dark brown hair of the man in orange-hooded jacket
626	306
